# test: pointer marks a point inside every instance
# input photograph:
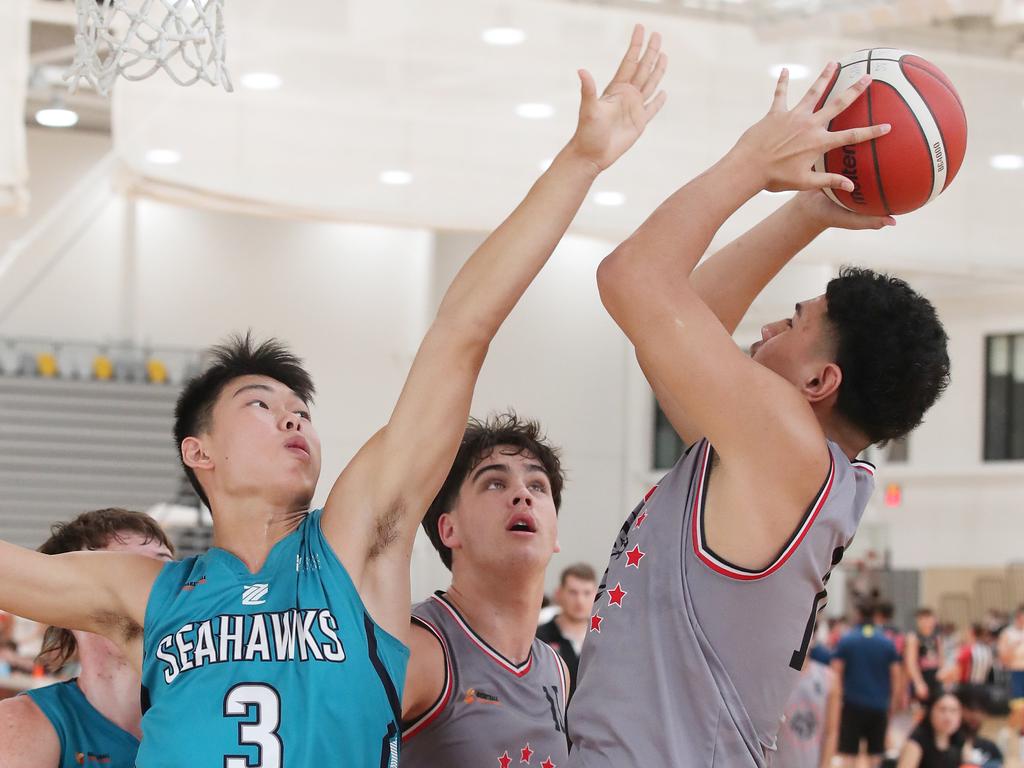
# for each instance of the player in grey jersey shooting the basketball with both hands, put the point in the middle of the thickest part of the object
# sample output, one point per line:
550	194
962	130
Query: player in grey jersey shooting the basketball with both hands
708	607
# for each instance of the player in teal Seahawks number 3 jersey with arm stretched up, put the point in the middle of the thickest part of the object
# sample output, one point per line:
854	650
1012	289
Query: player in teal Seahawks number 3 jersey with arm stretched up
285	645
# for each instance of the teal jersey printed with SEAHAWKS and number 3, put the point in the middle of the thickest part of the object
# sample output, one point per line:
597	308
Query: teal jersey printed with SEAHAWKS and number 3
283	668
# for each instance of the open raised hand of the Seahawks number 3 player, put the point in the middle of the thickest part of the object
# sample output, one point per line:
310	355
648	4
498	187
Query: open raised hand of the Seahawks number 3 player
611	124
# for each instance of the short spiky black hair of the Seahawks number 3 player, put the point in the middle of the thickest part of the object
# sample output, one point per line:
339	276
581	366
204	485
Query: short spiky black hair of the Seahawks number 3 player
240	356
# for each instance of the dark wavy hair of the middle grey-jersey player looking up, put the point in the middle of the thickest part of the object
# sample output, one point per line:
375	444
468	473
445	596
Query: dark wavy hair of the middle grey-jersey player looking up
479	441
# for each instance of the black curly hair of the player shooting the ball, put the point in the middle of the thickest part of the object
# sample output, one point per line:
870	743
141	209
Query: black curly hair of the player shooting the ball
891	349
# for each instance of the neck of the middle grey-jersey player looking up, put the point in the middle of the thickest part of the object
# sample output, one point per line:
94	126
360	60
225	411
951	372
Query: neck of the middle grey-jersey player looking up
505	618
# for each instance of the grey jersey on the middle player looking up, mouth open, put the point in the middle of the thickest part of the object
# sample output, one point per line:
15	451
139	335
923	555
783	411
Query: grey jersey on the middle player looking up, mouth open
492	712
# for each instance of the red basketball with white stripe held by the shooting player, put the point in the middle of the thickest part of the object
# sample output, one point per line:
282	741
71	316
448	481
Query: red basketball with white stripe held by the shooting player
913	164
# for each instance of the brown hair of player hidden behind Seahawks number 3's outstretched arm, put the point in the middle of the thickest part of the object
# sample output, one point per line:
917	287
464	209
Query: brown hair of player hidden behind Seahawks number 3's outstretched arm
91	531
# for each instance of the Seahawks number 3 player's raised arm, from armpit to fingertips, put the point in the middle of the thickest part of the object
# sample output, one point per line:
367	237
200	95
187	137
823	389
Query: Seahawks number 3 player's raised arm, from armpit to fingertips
379	501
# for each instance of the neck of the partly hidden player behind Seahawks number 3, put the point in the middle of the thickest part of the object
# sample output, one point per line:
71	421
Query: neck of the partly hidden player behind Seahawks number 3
110	684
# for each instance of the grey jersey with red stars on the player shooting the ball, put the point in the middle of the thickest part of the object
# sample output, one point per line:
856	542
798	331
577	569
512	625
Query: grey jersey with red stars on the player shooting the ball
691	660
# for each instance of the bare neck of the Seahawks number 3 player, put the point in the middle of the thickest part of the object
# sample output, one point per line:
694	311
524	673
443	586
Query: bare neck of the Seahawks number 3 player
249	528
